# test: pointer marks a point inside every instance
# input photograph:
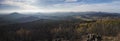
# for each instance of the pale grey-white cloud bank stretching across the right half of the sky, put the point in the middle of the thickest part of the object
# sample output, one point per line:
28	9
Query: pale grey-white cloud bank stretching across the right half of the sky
76	7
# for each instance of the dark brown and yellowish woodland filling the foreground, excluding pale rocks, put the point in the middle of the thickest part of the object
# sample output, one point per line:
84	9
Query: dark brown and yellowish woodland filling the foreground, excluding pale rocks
63	30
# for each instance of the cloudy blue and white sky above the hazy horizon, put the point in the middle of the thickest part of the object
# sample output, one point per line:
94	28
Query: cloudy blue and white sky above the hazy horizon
59	5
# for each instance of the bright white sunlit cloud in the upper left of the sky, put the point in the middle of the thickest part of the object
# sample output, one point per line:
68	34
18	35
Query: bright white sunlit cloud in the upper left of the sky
21	4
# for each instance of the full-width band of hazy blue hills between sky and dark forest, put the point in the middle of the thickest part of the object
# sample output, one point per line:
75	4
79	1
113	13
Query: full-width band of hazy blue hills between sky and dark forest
16	17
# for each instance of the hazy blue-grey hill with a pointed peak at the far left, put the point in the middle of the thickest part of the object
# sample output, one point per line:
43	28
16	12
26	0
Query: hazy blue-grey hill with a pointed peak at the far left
16	18
